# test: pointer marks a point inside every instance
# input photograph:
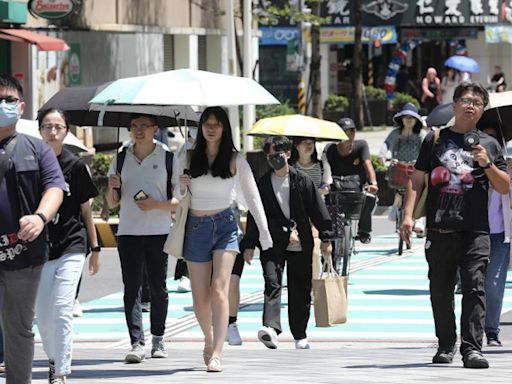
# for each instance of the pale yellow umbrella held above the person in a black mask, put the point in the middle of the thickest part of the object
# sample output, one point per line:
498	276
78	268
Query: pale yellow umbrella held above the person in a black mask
298	126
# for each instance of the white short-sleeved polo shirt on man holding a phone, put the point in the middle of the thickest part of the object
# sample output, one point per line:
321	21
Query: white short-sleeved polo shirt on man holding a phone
149	175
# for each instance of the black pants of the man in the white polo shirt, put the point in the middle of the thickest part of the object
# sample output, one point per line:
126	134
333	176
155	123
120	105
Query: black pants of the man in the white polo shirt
135	252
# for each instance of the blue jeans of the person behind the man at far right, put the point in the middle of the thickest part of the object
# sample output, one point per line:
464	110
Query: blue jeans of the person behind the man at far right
495	279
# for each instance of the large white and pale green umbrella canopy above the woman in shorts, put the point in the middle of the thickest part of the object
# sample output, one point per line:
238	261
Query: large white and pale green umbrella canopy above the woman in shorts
184	87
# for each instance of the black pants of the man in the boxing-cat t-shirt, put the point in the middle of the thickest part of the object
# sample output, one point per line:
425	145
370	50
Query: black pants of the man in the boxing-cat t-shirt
469	251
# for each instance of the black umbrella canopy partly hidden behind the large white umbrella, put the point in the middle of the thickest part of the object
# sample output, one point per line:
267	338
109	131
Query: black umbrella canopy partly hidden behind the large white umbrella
75	101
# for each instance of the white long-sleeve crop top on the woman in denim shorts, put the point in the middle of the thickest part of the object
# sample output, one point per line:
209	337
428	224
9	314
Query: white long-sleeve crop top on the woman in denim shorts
209	193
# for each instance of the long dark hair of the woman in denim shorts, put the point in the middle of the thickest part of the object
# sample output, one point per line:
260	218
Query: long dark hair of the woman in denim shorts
221	165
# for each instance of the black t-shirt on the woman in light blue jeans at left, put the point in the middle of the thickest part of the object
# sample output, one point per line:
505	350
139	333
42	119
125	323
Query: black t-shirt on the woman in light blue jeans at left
67	230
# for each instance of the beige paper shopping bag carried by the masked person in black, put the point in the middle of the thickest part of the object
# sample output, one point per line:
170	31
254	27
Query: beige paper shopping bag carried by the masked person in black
330	296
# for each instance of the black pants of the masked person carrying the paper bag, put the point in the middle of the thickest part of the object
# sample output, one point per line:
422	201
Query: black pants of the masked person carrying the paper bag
299	289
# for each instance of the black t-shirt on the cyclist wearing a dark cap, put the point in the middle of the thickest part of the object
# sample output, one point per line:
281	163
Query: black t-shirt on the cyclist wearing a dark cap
351	164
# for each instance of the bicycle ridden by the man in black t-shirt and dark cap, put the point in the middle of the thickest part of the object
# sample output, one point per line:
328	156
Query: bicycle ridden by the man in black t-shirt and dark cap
344	205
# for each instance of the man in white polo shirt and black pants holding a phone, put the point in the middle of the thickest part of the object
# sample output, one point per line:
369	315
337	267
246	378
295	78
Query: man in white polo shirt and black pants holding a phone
142	189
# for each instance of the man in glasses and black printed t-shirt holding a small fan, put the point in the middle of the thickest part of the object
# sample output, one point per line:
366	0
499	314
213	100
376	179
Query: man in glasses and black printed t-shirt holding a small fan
460	162
